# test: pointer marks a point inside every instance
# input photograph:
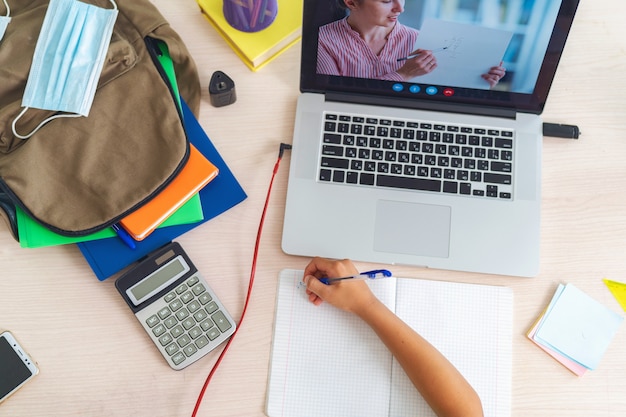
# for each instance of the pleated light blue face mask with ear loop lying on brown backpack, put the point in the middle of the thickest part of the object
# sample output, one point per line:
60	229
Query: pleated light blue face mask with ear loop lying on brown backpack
68	59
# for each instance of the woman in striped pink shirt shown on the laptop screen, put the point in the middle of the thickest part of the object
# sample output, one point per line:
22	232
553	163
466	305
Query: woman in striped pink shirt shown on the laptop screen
371	43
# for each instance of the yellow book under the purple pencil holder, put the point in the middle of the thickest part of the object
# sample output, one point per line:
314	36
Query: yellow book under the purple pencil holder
256	49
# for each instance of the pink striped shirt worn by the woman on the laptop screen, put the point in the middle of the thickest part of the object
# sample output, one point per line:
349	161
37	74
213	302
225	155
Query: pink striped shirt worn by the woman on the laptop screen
341	51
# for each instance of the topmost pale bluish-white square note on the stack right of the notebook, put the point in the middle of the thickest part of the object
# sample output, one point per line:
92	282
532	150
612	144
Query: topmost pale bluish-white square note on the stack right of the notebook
579	327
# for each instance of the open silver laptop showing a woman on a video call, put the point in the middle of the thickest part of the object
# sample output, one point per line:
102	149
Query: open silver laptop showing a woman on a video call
441	170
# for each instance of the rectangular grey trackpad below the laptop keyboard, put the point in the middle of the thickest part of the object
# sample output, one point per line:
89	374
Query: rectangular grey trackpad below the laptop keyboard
412	229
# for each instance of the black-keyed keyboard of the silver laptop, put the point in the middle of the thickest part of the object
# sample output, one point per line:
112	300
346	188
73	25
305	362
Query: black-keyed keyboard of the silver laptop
417	155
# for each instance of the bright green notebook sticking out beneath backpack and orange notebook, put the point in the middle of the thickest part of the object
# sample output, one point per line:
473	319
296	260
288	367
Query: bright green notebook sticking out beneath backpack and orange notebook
35	235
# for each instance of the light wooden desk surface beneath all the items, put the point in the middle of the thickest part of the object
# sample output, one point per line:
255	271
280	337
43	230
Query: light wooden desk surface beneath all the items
95	359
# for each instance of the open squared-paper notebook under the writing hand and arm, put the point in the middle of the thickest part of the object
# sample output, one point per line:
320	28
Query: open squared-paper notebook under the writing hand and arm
326	362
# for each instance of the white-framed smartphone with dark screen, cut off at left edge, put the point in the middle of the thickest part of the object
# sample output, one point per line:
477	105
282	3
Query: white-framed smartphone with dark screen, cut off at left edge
16	366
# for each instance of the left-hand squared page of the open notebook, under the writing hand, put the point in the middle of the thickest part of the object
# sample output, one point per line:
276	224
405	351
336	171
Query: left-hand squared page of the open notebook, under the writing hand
326	362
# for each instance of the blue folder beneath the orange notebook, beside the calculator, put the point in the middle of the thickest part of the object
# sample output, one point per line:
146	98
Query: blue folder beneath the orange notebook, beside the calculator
109	256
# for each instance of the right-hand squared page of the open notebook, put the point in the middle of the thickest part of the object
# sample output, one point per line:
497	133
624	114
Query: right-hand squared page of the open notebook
472	326
